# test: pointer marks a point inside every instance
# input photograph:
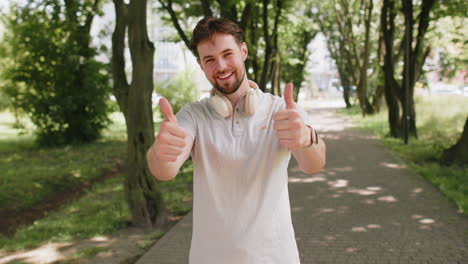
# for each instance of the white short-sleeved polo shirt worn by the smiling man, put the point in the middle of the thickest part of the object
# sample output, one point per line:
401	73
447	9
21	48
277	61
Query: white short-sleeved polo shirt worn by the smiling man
241	211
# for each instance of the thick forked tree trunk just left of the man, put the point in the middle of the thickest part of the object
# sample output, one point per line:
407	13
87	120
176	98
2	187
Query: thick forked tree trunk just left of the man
134	99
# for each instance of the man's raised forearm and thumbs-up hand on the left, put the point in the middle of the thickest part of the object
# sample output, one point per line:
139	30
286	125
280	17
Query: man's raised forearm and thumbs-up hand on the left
171	148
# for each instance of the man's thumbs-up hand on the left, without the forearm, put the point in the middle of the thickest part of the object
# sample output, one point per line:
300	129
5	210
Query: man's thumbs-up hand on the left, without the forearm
170	141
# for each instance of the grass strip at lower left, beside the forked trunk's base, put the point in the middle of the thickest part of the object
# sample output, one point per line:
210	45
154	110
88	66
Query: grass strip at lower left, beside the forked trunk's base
100	212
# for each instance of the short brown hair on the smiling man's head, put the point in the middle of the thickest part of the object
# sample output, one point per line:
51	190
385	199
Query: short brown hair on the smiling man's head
208	26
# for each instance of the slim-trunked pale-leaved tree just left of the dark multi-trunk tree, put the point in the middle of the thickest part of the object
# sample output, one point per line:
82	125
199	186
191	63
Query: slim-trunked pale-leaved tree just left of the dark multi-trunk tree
348	27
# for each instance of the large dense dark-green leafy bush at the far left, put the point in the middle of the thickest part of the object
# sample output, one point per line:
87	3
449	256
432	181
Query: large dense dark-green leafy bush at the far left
52	74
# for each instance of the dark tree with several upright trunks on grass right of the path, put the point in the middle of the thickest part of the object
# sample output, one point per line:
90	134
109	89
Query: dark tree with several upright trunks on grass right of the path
399	93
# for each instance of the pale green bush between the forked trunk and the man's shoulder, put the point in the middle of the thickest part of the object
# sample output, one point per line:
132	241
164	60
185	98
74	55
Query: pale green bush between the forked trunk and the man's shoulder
178	91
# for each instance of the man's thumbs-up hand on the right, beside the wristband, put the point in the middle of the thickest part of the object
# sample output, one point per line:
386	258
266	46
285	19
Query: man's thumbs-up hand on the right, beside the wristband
290	128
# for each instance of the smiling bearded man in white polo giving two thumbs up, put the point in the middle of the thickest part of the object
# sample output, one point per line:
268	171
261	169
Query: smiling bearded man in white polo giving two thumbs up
241	141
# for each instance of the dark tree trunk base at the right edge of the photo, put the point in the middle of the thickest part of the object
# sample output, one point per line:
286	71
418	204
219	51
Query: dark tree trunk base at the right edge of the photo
458	153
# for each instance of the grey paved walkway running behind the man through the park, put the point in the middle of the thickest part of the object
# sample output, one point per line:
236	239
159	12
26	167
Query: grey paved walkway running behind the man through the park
366	207
